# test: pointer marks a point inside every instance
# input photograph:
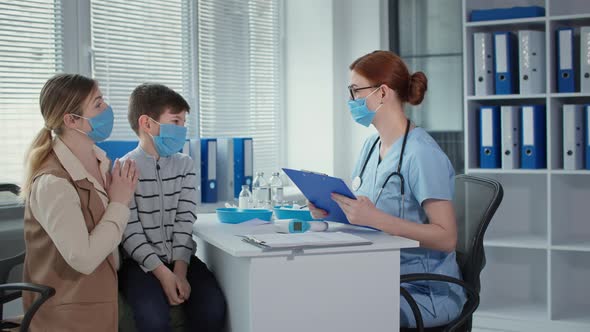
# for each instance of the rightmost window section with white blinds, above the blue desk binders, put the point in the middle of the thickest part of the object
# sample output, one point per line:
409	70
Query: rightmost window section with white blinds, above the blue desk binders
239	56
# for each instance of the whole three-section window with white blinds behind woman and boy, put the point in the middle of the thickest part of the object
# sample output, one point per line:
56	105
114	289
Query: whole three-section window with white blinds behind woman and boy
223	56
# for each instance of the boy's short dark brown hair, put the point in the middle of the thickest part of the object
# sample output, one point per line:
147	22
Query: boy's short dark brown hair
153	100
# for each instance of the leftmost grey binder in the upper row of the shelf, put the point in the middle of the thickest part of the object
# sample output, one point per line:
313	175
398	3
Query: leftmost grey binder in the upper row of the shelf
483	64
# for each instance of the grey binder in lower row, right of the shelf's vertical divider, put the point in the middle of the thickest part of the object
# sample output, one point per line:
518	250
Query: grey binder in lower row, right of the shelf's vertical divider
573	136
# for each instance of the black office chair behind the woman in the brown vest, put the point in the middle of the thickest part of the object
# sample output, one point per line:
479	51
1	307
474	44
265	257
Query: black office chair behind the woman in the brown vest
12	291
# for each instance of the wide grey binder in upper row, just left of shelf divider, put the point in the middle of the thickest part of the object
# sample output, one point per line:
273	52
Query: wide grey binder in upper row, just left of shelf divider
531	61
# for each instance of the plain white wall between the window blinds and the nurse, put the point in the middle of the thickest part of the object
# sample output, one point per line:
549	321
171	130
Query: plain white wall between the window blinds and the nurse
322	38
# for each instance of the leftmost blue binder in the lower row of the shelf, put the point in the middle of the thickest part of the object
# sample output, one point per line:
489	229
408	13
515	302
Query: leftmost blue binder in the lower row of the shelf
489	137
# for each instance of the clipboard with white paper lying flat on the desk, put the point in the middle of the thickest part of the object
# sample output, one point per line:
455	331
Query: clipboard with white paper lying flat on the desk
275	240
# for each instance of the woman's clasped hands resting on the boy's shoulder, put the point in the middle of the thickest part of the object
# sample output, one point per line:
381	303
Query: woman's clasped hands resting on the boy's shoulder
123	182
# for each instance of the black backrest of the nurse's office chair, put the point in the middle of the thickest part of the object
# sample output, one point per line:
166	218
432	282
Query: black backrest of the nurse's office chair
476	200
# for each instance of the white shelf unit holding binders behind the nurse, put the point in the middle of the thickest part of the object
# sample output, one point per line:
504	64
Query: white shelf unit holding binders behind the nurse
538	244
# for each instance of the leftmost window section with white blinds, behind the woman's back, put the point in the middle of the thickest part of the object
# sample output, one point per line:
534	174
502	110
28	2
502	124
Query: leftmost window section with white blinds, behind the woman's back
31	51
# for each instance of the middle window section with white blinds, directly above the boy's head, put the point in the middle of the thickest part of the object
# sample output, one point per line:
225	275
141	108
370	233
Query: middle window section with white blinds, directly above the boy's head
135	42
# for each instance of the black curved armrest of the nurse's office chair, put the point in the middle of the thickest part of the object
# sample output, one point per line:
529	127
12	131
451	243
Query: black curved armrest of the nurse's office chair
472	295
